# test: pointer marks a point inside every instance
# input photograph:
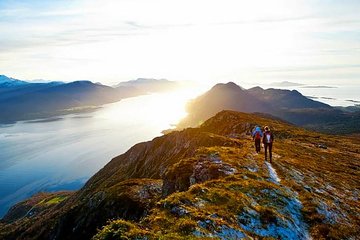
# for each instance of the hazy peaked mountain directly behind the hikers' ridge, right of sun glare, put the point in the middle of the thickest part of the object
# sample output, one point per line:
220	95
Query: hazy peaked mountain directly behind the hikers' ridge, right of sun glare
291	106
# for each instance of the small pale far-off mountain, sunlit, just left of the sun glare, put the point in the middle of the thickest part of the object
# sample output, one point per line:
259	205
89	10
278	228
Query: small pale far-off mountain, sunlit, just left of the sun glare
150	84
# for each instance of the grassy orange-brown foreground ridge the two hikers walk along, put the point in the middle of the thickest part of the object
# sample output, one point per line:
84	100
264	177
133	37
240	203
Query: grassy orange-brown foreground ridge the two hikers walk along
208	182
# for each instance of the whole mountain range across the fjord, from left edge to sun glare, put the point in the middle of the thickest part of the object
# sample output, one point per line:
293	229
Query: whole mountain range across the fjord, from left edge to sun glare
22	100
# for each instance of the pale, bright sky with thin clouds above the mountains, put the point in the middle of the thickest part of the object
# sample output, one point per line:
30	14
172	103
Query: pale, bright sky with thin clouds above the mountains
210	41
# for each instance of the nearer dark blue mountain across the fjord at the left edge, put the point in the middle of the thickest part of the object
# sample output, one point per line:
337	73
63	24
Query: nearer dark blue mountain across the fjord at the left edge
45	100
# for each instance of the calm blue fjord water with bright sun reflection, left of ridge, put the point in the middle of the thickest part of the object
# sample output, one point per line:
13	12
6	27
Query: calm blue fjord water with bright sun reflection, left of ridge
62	153
